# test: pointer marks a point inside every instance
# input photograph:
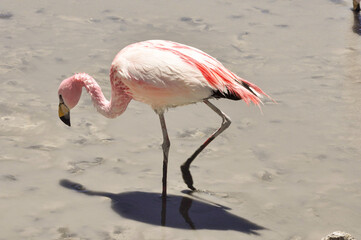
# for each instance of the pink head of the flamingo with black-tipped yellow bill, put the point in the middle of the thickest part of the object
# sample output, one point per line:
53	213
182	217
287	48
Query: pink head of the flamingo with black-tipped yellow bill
69	94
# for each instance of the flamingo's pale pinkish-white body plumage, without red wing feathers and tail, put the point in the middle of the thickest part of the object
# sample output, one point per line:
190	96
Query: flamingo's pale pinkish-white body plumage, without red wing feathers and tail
158	77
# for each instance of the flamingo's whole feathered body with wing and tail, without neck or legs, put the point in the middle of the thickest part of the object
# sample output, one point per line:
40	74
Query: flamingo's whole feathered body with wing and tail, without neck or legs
163	73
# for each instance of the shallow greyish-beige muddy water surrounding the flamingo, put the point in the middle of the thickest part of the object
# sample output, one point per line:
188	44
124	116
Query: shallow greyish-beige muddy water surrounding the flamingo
289	173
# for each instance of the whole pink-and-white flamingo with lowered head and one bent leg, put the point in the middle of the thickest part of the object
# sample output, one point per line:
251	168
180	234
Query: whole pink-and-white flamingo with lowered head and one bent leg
163	74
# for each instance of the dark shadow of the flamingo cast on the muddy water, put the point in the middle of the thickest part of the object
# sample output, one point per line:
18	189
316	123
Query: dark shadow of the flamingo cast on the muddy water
176	211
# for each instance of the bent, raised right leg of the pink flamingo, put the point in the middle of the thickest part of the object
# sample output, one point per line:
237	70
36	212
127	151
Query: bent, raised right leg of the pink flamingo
226	121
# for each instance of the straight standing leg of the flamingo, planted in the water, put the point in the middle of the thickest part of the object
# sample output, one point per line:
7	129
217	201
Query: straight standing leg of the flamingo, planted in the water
165	146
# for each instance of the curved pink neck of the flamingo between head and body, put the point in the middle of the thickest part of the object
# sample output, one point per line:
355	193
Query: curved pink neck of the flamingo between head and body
109	109
